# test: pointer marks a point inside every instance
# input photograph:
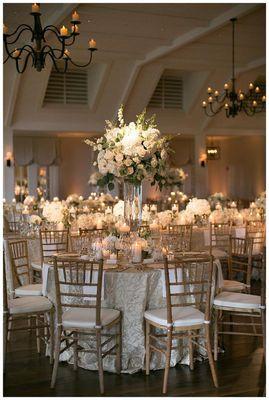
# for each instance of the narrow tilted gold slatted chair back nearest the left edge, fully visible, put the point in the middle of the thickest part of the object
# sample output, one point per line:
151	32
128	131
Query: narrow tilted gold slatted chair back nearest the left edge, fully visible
20	265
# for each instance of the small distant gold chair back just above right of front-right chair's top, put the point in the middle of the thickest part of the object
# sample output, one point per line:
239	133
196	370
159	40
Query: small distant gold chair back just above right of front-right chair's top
219	239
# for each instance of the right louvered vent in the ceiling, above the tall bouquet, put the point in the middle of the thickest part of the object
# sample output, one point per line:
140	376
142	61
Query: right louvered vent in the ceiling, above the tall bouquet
168	93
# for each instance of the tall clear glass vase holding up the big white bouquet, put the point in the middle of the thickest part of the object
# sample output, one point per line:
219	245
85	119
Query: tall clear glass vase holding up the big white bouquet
132	205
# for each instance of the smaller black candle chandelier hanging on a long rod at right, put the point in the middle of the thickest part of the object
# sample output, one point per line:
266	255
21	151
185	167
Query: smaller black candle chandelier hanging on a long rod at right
234	101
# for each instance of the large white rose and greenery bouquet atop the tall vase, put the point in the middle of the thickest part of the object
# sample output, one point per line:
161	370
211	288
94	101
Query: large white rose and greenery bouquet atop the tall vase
131	152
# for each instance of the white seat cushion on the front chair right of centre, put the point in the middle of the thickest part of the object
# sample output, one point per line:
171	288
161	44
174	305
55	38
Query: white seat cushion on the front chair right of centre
182	316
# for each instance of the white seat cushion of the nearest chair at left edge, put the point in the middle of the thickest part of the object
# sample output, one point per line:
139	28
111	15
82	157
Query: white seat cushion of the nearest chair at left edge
29	304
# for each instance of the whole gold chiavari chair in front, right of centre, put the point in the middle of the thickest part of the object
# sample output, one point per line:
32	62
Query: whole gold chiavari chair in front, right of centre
188	306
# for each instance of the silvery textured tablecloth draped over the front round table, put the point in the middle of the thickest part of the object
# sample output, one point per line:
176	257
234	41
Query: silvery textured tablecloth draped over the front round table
131	291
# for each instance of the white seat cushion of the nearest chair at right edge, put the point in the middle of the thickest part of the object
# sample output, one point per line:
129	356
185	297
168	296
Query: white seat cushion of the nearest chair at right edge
237	300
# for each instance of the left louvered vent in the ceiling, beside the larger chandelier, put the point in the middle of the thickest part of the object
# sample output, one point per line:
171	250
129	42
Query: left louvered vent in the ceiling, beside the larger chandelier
68	88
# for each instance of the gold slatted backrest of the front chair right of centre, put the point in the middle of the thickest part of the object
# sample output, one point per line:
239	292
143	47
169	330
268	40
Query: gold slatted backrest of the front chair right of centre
189	281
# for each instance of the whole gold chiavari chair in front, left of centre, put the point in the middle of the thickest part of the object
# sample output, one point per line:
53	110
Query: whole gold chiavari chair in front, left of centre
78	287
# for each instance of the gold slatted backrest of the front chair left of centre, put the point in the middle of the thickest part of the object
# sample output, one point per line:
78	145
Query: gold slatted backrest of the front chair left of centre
79	279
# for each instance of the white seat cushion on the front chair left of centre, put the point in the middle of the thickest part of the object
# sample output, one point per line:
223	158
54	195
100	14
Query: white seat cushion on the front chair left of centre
85	318
